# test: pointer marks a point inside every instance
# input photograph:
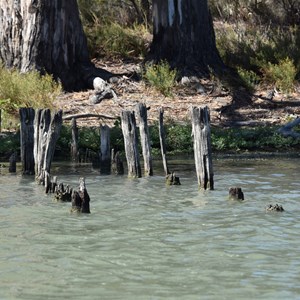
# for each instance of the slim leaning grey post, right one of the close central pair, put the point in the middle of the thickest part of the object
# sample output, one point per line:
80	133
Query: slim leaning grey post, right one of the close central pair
145	138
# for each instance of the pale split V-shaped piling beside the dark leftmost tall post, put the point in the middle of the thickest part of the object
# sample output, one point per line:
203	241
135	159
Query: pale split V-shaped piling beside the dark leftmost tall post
46	132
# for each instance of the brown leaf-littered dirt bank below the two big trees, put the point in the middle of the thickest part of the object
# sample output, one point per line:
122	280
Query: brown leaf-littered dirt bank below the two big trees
226	108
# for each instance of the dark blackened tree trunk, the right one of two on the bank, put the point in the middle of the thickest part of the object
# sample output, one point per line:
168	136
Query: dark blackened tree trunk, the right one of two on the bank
183	35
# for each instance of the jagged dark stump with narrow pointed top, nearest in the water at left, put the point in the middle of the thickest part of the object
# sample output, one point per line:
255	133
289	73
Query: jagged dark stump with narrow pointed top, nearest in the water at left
81	199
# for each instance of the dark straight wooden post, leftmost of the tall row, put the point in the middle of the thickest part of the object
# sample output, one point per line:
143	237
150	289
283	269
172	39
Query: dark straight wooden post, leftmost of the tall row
27	117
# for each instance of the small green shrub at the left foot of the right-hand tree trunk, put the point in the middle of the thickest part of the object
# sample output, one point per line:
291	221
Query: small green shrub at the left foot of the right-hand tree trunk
161	77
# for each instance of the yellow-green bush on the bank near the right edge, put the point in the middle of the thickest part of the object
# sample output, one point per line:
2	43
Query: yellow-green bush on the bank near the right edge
282	75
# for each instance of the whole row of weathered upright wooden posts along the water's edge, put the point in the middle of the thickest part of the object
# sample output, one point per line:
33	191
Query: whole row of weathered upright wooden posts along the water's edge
40	130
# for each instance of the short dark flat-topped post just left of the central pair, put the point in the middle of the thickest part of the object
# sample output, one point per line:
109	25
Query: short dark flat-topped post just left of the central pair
105	158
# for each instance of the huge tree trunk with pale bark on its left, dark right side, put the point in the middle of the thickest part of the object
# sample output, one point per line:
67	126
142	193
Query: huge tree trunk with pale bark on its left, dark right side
47	36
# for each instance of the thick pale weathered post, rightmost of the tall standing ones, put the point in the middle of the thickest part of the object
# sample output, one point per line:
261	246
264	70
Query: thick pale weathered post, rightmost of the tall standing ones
202	147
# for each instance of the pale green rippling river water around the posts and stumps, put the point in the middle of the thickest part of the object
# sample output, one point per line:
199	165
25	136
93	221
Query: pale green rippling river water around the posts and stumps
145	240
